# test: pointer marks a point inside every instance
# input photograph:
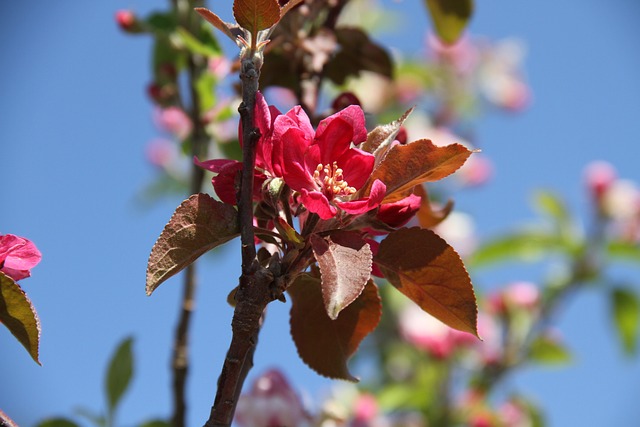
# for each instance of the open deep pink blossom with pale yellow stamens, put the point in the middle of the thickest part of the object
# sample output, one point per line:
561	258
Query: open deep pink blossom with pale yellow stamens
322	165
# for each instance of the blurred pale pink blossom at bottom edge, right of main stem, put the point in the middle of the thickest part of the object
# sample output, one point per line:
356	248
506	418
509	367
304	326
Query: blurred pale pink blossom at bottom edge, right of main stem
271	402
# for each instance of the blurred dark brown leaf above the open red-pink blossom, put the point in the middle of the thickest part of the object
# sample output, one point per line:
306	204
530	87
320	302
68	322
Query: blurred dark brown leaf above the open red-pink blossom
357	53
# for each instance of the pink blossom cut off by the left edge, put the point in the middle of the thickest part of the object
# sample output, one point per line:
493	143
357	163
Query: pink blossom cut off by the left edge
17	256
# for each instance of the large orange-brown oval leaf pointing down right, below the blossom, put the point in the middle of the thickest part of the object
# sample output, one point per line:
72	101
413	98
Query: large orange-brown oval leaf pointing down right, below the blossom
421	265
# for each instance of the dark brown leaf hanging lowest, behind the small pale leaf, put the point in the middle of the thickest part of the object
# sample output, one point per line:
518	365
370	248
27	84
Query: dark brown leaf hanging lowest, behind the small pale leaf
324	344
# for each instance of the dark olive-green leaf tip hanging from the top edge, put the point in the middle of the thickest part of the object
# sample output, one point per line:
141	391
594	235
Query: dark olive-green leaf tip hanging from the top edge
450	17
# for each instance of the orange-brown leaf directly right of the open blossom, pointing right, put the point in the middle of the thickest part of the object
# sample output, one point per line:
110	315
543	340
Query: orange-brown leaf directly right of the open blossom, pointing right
406	166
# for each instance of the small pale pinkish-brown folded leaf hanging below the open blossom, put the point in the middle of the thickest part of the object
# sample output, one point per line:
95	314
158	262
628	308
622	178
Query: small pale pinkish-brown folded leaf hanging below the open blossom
344	259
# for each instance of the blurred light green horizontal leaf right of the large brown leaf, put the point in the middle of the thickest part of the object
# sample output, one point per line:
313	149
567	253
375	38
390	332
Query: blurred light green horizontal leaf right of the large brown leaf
525	246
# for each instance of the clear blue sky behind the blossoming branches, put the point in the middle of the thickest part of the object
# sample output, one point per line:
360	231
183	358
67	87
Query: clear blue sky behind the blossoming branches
74	120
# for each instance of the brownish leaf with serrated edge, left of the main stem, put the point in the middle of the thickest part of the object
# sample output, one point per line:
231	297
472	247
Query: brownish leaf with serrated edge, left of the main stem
198	225
